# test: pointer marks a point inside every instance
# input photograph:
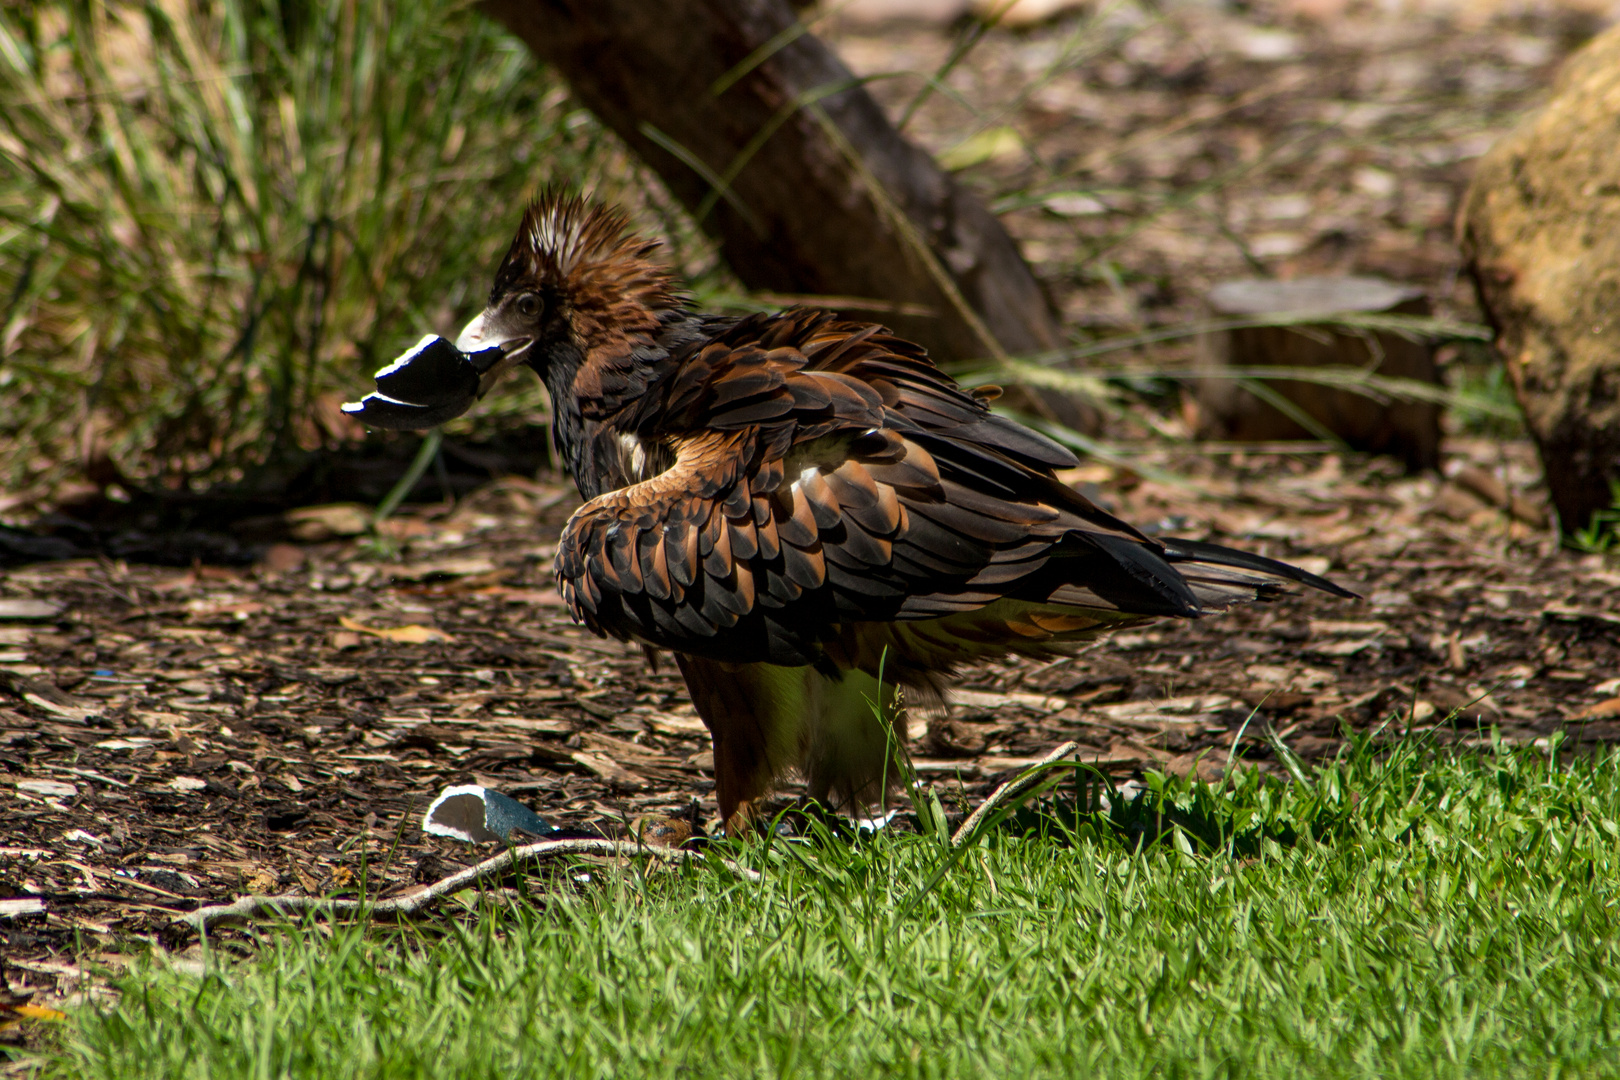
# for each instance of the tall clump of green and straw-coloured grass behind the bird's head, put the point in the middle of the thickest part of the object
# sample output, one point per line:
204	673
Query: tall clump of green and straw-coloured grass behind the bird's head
218	219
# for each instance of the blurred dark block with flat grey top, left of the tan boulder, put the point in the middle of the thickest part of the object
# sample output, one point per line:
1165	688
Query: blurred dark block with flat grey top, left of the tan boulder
1229	410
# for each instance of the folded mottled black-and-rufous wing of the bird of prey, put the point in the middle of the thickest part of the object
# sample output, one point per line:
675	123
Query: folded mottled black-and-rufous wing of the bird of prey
827	477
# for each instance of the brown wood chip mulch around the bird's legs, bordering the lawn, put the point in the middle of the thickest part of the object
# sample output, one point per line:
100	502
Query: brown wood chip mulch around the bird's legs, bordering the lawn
184	738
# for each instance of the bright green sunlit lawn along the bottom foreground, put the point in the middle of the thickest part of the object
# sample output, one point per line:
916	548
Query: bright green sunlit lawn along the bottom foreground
1384	917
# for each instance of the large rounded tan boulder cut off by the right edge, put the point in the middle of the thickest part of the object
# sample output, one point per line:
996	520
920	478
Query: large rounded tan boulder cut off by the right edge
1541	234
